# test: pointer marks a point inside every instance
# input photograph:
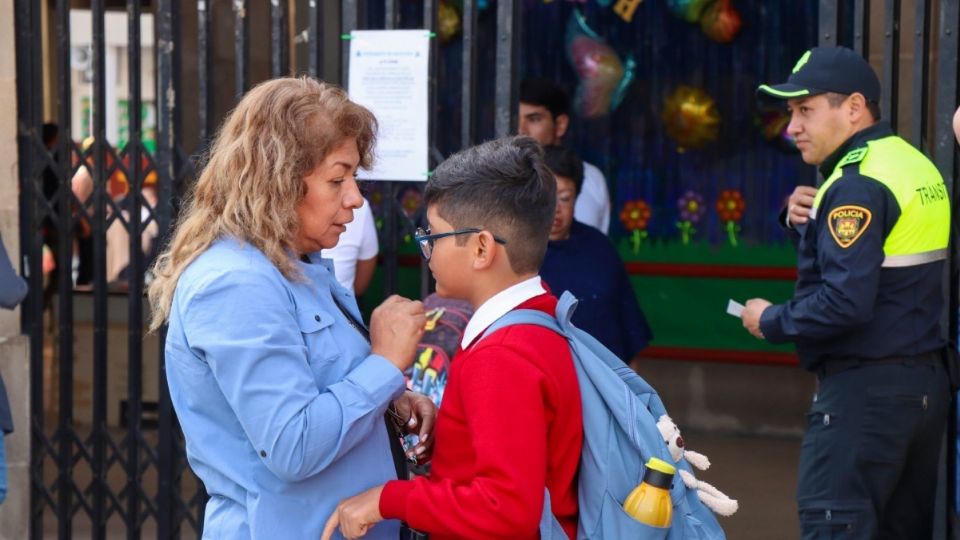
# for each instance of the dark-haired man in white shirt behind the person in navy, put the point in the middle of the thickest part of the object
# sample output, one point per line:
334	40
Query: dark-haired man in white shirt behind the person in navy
544	114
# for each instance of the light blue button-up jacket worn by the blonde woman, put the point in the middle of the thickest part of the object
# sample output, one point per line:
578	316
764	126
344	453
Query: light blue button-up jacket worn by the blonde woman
279	398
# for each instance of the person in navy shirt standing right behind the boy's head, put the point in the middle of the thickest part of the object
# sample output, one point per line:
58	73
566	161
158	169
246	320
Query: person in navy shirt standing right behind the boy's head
583	261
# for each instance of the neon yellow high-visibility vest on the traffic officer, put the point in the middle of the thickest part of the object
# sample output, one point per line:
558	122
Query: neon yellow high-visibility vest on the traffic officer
922	232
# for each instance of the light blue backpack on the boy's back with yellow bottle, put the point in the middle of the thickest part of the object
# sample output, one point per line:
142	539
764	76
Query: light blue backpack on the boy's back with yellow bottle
620	412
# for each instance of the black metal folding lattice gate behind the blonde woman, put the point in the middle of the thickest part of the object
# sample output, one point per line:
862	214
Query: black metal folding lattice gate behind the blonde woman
107	454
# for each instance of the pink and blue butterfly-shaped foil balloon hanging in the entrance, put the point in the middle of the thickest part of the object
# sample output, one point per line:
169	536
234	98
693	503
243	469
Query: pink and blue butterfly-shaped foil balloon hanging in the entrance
603	78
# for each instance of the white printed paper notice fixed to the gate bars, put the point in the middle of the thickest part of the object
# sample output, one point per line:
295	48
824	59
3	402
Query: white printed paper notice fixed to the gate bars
389	70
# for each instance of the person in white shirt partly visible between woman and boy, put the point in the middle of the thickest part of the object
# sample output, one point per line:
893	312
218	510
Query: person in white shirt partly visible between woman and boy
355	255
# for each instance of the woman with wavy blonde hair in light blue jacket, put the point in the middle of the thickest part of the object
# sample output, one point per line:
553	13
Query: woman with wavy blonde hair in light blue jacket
279	388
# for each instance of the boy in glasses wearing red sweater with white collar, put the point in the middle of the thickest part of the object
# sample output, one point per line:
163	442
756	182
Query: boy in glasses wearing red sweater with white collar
510	423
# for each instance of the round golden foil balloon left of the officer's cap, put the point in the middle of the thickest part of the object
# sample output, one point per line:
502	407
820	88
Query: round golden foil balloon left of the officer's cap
690	117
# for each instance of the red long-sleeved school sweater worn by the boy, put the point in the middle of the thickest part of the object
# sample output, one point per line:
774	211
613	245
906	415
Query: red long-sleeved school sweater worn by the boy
510	423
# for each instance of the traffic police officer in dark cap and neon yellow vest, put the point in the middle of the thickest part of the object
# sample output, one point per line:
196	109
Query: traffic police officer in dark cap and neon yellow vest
865	316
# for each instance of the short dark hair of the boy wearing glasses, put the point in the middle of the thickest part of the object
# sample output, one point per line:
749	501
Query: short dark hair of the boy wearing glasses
502	186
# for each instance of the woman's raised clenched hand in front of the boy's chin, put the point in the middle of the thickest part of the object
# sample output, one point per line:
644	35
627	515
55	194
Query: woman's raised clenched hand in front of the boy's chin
396	327
